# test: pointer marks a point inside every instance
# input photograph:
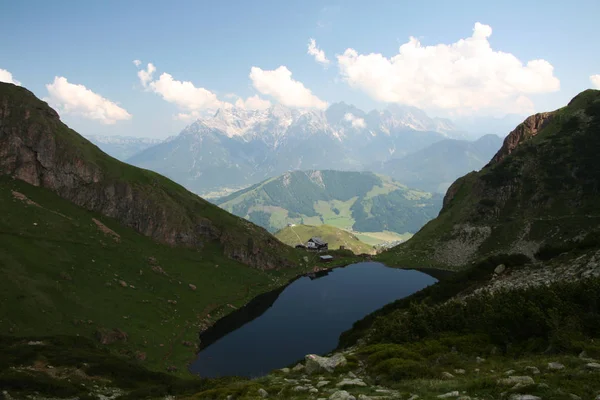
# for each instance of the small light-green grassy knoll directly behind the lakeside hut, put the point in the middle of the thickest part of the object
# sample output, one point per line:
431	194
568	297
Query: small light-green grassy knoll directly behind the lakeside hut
293	235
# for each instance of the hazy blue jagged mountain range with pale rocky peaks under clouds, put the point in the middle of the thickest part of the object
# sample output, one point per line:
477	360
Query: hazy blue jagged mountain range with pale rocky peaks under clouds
237	147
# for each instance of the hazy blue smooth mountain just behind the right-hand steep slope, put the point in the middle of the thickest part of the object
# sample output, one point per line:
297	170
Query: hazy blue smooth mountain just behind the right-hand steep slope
435	167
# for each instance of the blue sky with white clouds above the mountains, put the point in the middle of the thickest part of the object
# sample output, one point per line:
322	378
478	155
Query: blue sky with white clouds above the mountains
149	68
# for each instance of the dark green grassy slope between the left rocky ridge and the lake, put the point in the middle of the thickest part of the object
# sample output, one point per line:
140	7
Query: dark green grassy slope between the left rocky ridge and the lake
69	271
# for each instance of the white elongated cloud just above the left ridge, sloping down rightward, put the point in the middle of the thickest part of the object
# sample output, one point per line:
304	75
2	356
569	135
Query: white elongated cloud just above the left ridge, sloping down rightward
75	99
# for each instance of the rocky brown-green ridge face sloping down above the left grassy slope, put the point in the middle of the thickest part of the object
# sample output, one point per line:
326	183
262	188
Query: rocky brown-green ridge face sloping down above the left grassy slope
36	147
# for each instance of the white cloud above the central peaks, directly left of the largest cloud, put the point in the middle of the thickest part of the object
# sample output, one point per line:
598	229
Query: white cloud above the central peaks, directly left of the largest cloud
279	84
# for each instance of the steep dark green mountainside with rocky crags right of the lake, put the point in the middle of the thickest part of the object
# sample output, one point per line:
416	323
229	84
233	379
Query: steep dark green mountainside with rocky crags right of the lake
540	194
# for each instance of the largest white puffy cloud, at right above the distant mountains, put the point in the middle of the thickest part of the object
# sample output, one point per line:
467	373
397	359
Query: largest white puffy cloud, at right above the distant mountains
461	78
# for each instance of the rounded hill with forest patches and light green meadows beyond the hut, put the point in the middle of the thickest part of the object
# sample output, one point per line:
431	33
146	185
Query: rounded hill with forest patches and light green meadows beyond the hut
359	201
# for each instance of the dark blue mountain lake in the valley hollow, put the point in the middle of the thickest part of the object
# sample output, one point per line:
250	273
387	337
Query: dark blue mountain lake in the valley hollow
307	316
